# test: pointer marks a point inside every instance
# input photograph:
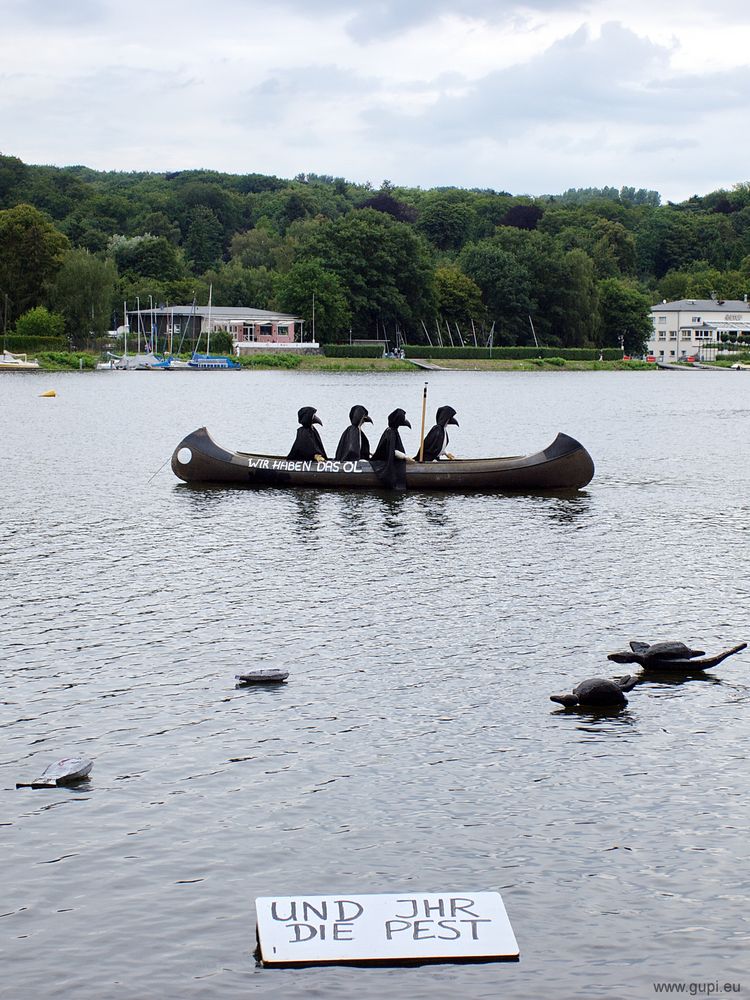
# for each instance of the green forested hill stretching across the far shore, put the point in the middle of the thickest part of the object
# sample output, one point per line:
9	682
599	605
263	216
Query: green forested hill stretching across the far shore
585	265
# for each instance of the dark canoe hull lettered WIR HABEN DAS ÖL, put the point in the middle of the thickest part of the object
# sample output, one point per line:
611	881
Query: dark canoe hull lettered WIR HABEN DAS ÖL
564	465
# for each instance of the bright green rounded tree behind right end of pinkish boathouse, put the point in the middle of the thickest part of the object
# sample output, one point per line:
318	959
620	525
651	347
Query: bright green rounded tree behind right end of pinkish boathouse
295	295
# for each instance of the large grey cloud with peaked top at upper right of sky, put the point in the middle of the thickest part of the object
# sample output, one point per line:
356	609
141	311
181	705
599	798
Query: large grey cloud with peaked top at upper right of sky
616	78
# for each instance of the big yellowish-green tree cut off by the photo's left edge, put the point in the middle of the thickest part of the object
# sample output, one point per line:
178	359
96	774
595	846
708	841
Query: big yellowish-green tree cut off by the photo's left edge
31	252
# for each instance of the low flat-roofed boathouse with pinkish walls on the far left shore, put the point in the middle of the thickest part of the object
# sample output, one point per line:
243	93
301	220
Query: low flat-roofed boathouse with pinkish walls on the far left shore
177	328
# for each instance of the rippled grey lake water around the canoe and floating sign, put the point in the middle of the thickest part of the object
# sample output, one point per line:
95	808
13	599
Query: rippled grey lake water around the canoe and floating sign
414	746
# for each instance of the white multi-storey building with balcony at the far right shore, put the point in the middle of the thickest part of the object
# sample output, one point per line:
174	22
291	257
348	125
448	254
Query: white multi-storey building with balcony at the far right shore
693	327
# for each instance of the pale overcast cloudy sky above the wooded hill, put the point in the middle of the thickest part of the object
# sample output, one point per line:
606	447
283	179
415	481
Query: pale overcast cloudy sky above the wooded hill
531	98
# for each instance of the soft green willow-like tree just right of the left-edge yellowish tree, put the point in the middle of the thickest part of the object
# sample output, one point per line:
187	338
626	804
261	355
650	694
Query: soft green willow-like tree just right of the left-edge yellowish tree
83	293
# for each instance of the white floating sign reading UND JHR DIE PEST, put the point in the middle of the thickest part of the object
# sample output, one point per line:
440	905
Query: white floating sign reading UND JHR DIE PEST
400	927
